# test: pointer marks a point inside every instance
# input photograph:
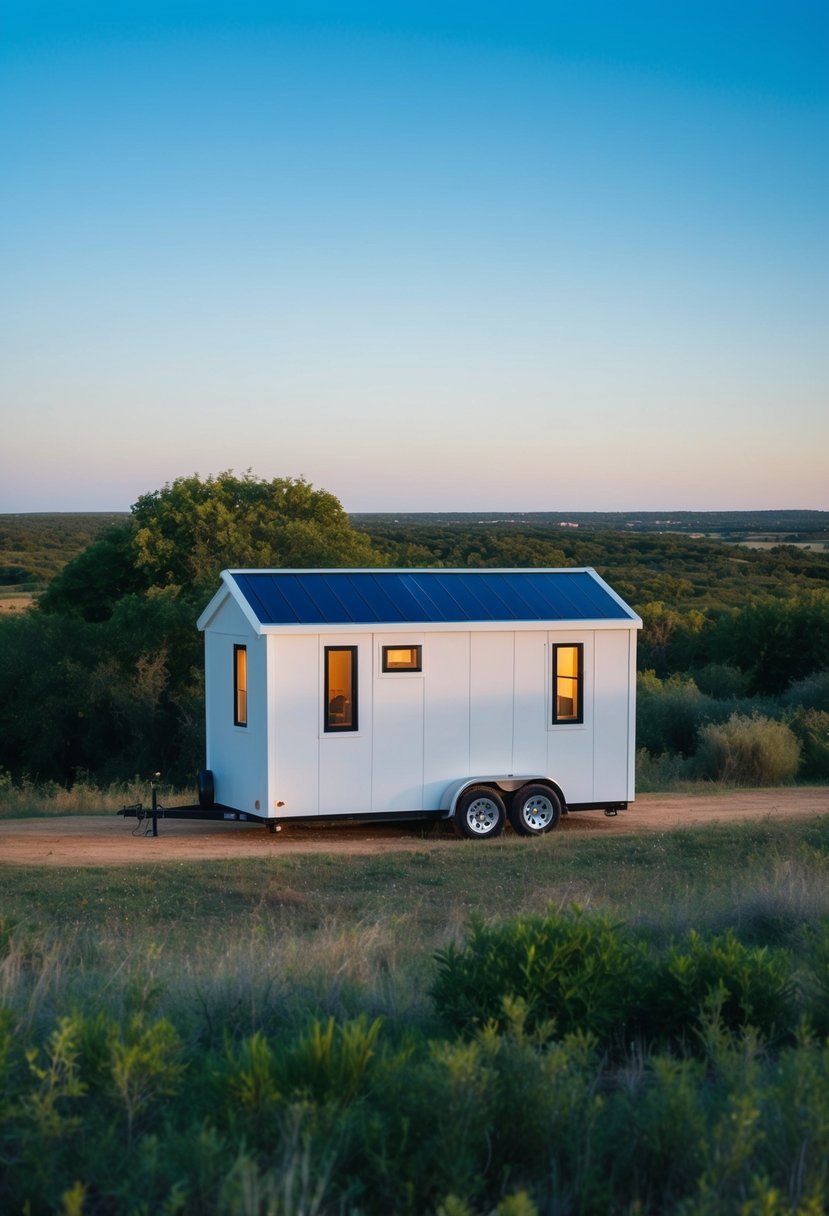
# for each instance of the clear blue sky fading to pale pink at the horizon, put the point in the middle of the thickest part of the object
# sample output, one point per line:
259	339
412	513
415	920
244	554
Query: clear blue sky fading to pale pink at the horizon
561	256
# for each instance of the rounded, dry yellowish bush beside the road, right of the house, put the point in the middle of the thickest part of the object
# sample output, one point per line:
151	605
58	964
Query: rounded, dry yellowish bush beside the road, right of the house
748	752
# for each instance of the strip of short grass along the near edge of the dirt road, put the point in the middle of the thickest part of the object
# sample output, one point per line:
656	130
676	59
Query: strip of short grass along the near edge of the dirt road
675	879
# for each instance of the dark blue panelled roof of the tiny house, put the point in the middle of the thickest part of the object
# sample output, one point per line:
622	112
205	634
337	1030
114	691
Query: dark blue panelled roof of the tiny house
391	598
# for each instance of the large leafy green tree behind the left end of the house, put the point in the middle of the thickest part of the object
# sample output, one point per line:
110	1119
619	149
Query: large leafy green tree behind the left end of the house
108	675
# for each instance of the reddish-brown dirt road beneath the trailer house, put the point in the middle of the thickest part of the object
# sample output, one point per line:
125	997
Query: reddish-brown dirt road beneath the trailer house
111	841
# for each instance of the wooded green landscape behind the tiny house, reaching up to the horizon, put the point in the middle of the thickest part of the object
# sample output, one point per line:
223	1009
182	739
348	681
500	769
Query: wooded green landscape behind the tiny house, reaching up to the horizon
104	682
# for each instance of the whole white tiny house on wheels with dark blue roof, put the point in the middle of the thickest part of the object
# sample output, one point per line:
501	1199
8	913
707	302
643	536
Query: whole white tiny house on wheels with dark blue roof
467	695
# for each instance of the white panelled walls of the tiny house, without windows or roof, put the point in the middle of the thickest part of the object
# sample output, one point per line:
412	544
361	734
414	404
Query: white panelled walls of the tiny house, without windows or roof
481	707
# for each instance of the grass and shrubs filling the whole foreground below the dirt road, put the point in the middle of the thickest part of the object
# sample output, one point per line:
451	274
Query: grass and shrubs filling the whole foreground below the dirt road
531	1028
